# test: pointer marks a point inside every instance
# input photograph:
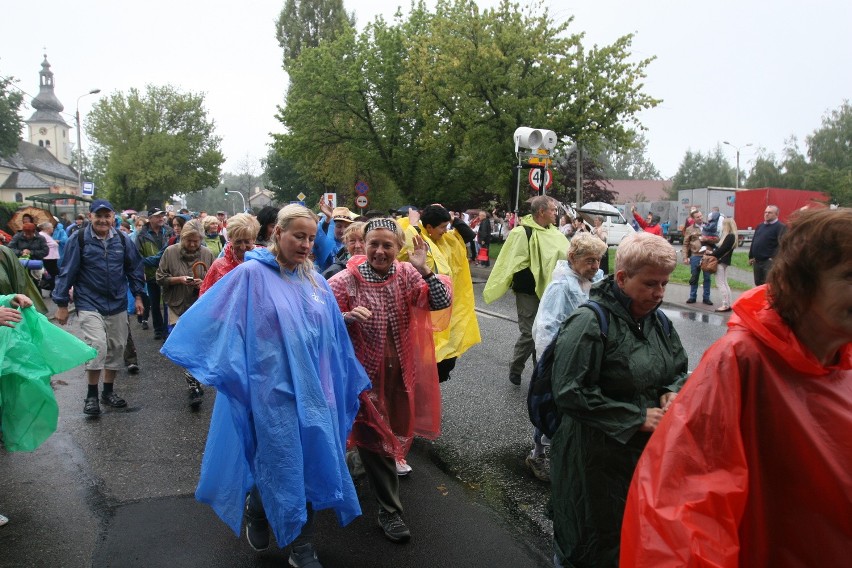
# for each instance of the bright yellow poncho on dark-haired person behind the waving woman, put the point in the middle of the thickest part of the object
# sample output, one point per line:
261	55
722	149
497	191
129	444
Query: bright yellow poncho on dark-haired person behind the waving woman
448	256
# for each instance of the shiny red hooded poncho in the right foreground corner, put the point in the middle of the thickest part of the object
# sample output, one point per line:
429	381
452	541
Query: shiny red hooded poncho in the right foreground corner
752	465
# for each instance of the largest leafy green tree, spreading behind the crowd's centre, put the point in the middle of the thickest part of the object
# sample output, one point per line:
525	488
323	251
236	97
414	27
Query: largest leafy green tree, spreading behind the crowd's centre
424	109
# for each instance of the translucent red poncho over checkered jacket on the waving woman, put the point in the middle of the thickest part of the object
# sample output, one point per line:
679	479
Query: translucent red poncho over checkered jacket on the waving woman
393	412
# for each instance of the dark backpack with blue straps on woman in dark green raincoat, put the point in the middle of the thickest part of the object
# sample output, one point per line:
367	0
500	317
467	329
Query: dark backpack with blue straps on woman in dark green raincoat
541	405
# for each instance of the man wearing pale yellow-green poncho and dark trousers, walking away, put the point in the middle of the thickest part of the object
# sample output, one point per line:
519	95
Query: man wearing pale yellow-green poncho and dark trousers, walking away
526	264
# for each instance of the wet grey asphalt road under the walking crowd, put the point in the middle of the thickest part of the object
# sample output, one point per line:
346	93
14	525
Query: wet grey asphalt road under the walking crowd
117	490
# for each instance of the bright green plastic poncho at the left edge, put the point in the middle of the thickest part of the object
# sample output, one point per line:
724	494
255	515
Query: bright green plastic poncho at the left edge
30	353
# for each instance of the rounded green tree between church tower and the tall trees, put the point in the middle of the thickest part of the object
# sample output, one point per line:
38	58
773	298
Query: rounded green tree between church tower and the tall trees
153	145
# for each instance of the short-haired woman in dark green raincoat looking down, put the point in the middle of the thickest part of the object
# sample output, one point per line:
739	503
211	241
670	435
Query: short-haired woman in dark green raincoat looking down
613	381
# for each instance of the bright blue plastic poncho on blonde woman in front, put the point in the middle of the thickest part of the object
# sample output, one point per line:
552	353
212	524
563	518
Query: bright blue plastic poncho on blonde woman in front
275	346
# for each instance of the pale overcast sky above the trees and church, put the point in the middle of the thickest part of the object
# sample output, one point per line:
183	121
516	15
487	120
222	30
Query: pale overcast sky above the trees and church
746	71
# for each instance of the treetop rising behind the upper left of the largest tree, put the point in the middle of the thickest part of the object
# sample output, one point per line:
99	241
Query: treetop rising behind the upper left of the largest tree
303	24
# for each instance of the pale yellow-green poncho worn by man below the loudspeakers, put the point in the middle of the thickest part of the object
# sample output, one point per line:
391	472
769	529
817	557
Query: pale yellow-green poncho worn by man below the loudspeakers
539	253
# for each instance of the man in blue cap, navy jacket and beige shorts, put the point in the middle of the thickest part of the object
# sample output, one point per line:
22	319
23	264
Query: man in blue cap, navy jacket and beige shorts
99	264
